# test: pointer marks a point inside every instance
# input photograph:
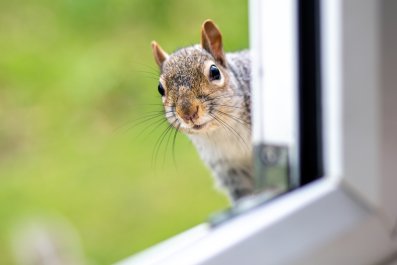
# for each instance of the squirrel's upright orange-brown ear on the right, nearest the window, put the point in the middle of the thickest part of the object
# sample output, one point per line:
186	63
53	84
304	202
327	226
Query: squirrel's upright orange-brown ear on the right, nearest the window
211	40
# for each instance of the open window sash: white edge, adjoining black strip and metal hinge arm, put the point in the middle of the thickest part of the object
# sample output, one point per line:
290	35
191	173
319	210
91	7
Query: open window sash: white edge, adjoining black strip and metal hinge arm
286	93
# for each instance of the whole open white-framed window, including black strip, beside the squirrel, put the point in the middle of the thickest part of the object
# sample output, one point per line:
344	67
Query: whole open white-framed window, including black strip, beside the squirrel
342	210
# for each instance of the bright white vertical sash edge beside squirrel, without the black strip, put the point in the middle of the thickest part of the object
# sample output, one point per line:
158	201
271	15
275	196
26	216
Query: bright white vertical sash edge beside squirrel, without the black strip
275	135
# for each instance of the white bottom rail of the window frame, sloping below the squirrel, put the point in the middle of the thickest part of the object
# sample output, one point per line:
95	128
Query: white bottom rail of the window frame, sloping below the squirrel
277	233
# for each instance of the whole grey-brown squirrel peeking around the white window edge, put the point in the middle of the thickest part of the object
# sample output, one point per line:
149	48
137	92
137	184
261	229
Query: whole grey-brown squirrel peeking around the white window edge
206	95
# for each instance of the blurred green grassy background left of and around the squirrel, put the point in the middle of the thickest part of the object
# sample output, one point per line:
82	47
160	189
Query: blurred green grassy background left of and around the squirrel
74	75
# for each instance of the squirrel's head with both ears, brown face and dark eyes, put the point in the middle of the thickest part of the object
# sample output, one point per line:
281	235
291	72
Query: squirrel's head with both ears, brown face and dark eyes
195	83
